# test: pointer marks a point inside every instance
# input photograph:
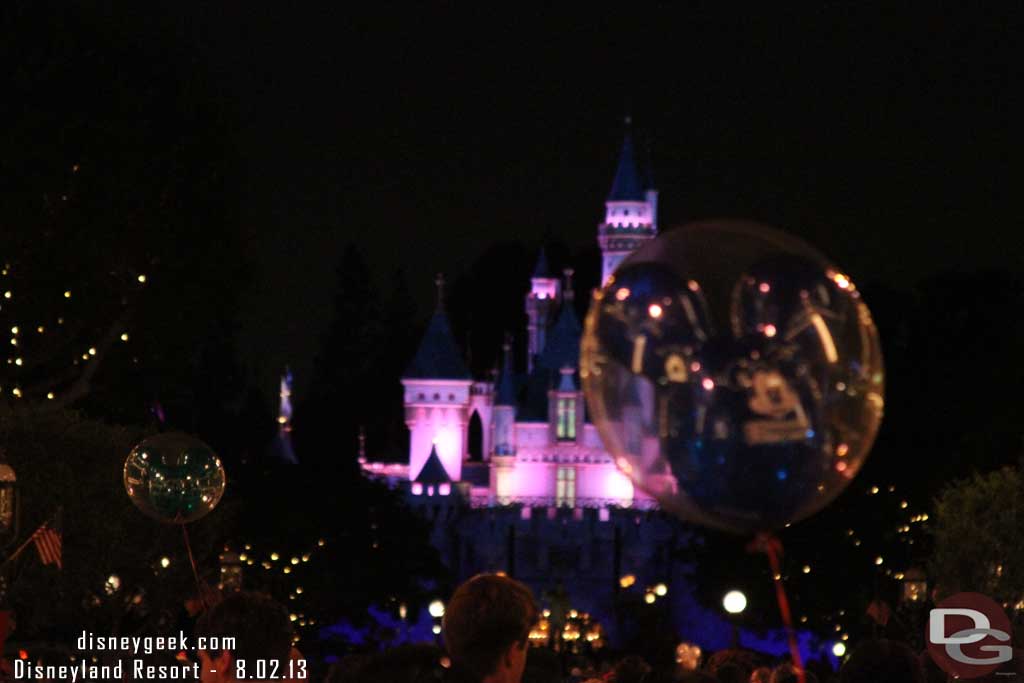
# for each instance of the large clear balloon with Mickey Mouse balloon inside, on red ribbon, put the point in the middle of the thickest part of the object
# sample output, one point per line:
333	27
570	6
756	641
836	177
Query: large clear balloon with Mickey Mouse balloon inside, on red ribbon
735	374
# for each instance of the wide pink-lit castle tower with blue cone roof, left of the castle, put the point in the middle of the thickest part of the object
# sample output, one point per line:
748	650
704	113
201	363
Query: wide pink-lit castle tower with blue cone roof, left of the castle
437	398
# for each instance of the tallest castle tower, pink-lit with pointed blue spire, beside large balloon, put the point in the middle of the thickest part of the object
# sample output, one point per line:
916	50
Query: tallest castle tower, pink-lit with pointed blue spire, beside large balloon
631	211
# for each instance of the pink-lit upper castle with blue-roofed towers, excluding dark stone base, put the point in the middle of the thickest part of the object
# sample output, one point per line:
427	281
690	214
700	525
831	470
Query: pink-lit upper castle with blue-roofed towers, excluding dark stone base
539	452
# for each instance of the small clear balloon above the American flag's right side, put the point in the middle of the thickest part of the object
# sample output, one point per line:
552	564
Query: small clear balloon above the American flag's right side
175	479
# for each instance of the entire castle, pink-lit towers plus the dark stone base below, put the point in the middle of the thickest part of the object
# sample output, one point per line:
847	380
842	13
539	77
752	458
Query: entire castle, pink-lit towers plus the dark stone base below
513	475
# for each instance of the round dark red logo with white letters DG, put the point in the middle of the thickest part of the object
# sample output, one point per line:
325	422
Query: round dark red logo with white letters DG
969	635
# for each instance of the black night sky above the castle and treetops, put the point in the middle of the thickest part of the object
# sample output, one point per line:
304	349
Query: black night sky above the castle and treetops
428	136
